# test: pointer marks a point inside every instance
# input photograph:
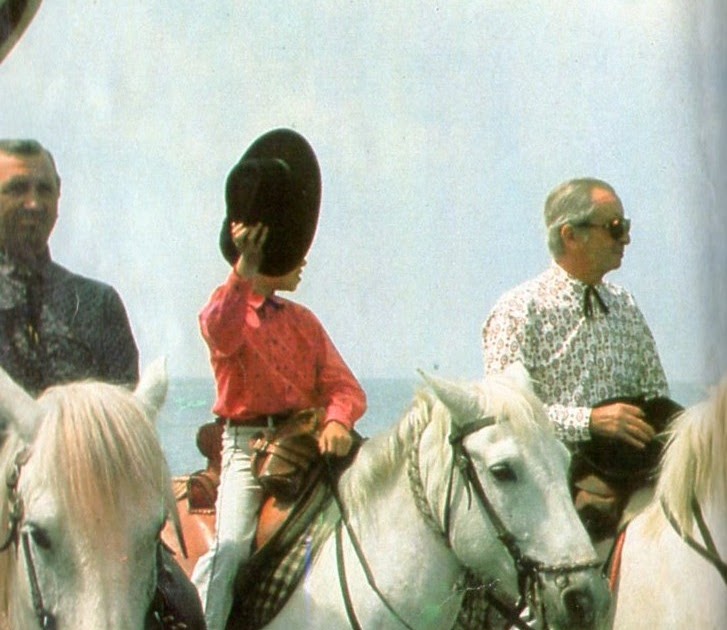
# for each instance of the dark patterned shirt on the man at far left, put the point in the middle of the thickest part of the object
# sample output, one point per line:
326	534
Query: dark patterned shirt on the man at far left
58	327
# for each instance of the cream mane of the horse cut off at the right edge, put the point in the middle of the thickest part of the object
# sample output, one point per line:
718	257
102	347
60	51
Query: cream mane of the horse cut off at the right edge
694	463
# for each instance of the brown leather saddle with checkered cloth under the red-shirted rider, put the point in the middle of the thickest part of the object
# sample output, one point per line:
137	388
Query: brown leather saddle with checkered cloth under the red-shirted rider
294	519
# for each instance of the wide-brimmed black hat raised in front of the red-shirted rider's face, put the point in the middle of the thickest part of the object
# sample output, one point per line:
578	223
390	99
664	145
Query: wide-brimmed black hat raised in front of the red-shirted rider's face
277	182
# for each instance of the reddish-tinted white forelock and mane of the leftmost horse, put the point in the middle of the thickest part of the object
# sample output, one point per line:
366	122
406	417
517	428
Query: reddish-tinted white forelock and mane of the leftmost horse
98	449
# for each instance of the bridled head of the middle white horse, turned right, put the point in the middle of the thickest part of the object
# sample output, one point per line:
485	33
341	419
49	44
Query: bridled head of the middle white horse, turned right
509	492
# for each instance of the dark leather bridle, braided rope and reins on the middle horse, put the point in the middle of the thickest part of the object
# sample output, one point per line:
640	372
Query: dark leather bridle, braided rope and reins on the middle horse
529	570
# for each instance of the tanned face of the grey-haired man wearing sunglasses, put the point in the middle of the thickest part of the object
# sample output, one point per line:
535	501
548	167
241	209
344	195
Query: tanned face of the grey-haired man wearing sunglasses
603	252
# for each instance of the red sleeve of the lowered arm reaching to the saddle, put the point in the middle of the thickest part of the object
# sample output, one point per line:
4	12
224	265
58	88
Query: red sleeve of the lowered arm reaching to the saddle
344	398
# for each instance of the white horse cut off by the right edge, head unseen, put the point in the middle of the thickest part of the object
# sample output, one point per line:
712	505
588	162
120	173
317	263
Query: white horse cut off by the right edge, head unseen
672	570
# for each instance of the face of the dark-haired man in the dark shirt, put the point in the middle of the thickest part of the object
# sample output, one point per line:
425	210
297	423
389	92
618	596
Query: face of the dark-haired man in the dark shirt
29	193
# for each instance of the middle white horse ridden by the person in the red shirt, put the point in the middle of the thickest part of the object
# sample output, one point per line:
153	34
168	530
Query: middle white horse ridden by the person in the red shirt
471	481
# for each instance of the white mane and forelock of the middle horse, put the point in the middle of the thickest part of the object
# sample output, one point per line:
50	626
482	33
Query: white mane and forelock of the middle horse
505	398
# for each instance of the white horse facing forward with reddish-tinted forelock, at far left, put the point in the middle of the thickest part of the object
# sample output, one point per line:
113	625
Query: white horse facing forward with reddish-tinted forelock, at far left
84	493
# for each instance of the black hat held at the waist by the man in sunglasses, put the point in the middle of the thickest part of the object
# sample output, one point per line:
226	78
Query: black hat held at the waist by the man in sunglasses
616	460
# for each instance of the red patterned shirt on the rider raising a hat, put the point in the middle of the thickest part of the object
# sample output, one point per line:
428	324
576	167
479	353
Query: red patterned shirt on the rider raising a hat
272	356
